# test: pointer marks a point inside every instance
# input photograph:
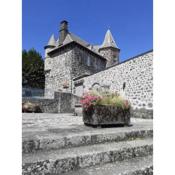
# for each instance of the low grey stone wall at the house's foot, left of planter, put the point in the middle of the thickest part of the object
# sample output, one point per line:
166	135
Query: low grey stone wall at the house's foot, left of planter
62	103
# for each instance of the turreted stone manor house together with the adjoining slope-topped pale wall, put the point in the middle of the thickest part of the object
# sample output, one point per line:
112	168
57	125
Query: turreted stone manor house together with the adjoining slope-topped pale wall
74	66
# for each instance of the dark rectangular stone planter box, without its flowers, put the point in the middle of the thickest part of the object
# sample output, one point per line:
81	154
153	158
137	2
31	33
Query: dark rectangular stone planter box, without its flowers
106	115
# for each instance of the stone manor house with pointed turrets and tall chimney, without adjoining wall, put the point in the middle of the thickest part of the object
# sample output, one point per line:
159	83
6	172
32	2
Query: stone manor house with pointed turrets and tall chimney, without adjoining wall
70	57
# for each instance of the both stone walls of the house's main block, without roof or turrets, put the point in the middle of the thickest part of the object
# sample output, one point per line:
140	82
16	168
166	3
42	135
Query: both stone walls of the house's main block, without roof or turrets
68	63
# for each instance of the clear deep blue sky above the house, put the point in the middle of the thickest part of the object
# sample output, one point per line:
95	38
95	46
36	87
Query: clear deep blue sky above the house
130	21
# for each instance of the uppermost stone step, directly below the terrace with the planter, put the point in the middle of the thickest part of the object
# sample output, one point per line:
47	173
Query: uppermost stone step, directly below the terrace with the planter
55	141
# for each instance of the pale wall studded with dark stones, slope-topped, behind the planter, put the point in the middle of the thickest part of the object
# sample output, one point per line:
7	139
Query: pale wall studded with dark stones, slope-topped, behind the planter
133	78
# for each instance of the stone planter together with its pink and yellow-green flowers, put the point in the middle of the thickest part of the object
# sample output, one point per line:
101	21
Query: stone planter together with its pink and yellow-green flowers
107	108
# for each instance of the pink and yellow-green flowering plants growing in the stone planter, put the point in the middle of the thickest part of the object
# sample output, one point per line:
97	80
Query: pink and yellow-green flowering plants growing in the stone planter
93	98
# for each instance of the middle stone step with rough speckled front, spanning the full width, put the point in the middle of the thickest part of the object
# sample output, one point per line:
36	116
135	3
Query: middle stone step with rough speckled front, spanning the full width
70	159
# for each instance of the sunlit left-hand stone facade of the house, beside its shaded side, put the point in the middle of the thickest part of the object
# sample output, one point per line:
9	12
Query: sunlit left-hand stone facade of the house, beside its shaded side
58	72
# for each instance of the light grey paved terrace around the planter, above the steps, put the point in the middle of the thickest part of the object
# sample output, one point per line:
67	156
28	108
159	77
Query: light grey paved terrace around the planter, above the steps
50	125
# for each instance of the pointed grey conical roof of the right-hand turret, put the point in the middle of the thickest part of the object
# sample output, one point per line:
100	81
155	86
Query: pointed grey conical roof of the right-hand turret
109	40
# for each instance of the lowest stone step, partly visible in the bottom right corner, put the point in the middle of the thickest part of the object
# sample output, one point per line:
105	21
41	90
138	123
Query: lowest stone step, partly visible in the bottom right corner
134	166
